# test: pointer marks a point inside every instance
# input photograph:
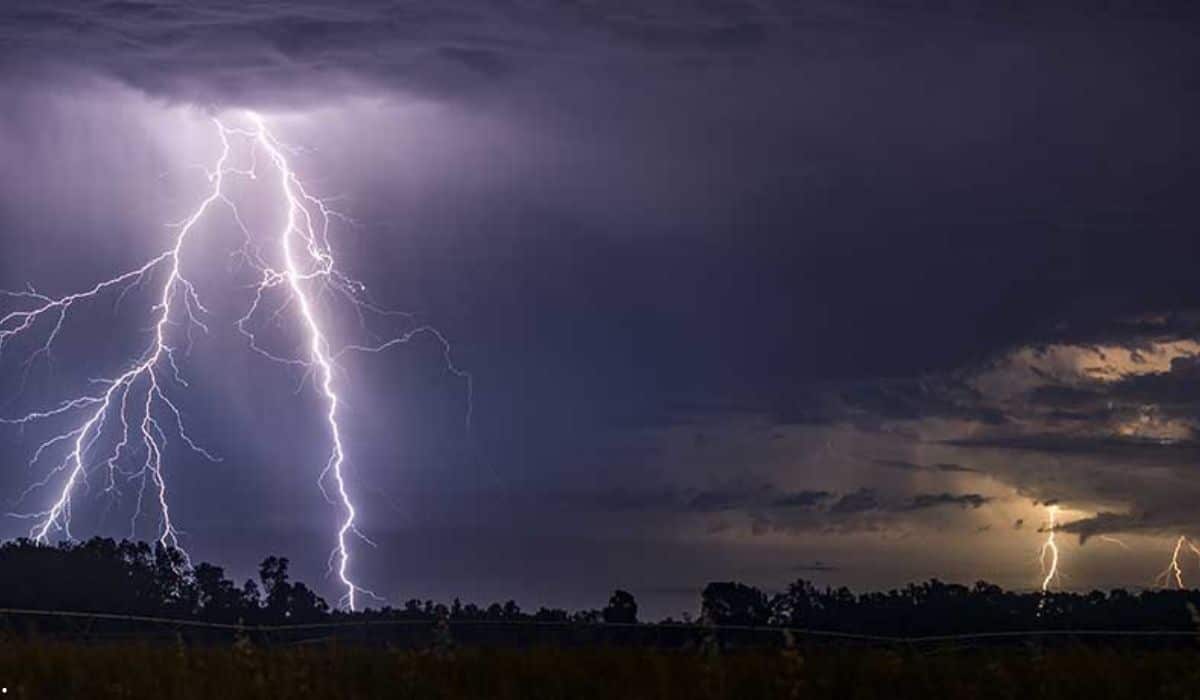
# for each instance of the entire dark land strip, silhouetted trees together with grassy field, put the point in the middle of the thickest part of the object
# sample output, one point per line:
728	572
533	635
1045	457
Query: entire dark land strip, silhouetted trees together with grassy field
742	648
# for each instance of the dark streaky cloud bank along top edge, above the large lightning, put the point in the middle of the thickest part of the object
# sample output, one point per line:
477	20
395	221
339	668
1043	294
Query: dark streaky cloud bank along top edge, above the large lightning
302	50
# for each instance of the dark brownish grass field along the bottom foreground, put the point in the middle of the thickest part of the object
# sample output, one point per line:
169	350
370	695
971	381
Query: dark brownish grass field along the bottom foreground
163	672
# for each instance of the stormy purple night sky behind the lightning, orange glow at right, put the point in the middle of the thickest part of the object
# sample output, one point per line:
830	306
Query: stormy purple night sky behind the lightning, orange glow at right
757	290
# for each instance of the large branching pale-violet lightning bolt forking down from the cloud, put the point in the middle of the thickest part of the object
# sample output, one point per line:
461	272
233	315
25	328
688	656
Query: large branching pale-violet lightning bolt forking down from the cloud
136	406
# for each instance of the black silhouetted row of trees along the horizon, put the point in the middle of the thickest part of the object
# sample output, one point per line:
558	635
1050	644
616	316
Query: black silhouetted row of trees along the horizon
135	578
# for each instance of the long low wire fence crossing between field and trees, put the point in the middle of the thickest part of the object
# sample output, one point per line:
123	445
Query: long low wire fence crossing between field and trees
99	627
